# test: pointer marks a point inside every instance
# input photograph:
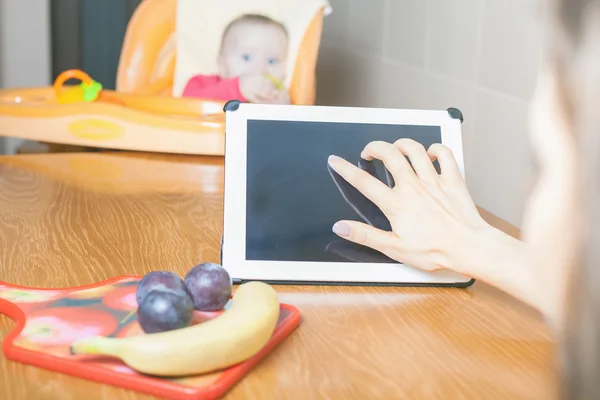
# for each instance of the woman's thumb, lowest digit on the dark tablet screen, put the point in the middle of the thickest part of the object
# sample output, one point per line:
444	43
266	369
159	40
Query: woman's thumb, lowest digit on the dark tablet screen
367	235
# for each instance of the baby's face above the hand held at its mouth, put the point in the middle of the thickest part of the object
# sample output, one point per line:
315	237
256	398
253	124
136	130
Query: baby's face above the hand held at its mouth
253	49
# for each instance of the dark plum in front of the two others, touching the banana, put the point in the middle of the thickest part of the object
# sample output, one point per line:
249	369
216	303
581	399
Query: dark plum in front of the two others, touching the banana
163	310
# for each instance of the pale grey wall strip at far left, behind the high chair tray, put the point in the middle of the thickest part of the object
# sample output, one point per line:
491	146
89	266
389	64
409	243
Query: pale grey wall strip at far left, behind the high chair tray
25	56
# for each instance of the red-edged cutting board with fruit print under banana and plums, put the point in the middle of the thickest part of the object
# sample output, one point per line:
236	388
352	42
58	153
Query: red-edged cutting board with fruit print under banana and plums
49	320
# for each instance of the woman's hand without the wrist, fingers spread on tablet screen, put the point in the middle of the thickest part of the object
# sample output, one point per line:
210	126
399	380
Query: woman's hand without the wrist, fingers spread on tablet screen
432	215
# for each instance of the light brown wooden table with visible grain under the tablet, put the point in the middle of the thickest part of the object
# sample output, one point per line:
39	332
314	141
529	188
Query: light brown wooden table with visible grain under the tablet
74	219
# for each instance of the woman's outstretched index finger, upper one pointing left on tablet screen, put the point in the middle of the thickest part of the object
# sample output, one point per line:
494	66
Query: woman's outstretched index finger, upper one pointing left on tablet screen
372	188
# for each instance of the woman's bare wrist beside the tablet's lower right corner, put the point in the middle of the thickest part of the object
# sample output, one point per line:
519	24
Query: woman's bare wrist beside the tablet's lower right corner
501	261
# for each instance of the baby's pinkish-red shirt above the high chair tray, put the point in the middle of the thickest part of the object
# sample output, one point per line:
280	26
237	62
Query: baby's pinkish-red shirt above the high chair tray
213	87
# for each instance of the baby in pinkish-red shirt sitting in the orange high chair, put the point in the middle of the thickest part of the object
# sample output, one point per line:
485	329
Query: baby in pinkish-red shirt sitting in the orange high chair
252	62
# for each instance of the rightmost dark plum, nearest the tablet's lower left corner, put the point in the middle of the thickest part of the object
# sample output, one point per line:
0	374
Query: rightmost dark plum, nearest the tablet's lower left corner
209	285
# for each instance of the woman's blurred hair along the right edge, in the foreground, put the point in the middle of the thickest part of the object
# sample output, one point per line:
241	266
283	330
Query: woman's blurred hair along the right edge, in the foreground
574	54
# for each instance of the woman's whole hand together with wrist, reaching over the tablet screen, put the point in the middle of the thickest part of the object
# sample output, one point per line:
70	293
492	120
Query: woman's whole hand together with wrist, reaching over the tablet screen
435	223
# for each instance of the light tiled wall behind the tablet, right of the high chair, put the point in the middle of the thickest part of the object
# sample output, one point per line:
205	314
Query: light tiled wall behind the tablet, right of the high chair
478	55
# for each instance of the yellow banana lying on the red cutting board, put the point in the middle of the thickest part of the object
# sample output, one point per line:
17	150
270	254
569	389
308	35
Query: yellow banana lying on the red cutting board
237	334
